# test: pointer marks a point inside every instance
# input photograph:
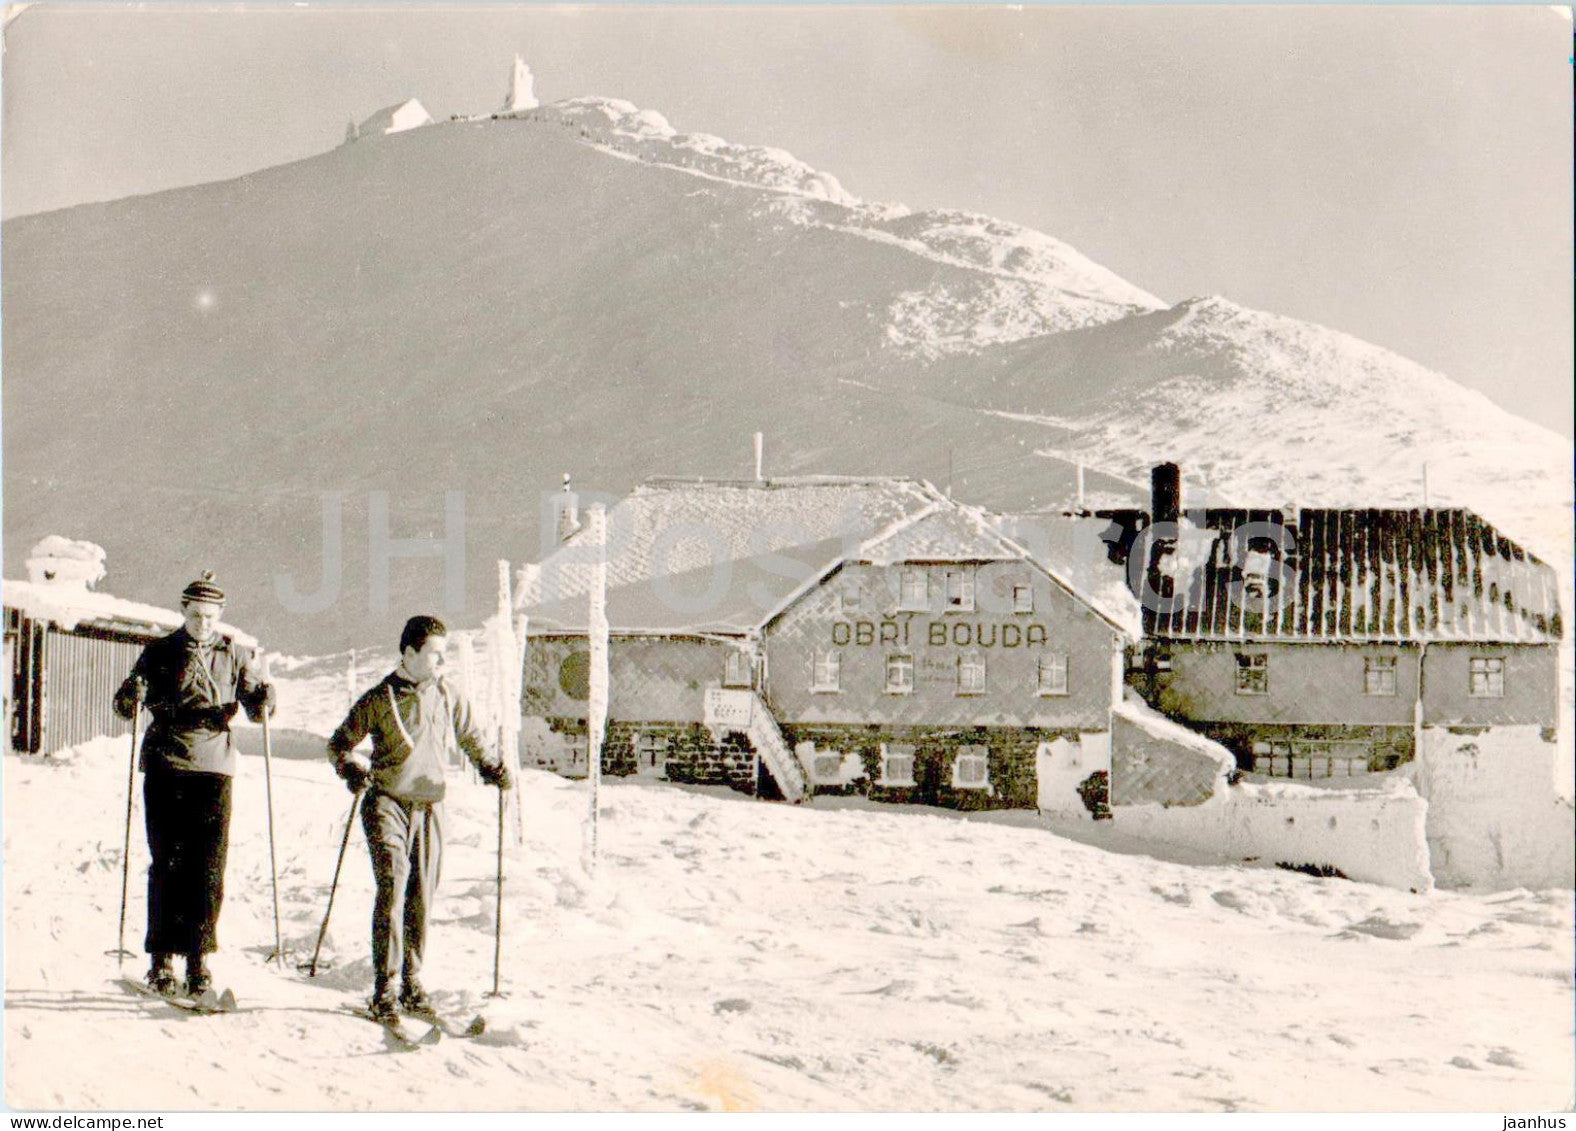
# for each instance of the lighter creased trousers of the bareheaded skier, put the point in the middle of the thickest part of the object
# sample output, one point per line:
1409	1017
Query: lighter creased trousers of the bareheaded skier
407	855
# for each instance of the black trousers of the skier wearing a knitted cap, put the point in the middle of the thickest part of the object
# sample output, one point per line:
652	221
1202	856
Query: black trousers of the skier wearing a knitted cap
188	818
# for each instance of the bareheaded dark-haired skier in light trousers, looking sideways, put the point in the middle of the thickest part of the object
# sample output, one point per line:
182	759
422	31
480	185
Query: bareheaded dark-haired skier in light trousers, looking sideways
417	721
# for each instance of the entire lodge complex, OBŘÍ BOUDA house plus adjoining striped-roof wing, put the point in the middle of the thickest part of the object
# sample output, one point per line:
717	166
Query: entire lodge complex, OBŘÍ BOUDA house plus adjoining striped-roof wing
812	636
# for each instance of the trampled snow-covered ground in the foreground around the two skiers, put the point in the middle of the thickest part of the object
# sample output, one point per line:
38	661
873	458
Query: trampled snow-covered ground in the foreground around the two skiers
740	955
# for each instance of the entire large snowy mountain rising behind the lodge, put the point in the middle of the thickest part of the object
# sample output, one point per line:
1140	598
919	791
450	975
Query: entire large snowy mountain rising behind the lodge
206	377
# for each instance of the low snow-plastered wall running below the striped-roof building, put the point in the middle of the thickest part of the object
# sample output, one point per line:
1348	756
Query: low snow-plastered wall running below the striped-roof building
1373	836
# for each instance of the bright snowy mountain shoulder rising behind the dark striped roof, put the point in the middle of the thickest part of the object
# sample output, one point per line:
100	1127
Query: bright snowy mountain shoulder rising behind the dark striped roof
1260	409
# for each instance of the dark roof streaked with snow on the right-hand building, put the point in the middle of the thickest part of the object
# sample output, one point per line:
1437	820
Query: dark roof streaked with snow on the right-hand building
1364	576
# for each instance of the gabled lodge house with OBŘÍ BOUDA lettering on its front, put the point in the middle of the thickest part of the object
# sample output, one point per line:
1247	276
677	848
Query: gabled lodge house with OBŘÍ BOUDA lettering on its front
801	636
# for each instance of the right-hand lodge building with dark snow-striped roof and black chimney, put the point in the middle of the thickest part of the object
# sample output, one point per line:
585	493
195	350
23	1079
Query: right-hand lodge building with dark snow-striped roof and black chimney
1326	642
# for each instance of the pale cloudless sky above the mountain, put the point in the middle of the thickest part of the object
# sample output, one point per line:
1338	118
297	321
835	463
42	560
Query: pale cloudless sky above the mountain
1400	174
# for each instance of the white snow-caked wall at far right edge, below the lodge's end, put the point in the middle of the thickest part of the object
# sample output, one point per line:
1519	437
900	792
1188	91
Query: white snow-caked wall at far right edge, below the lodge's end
1493	815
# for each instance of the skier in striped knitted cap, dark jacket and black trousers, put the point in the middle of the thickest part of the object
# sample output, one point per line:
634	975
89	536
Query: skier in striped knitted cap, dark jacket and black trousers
191	683
